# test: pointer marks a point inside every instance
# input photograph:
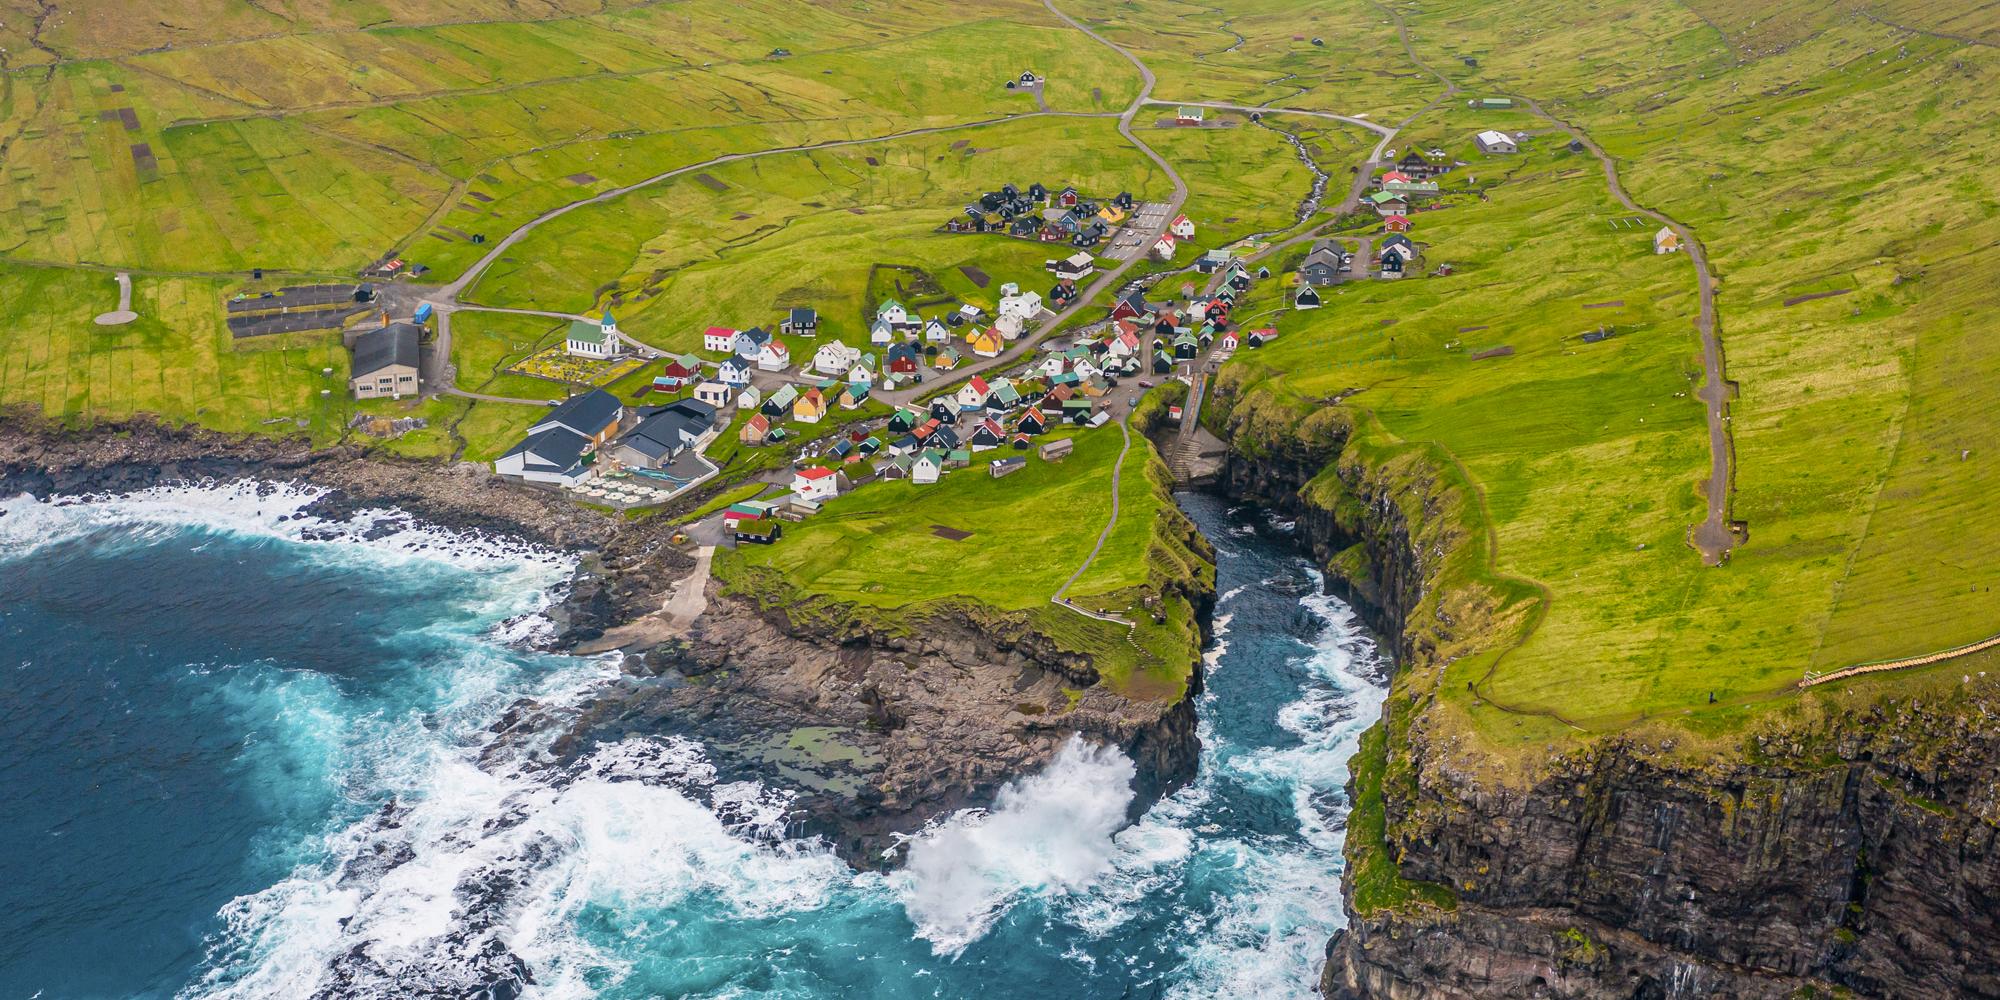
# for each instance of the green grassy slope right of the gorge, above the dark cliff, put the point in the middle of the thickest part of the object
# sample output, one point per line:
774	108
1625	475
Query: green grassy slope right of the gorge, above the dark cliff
1861	433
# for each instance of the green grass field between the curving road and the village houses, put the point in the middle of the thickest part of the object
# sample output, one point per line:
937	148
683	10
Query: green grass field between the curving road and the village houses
805	229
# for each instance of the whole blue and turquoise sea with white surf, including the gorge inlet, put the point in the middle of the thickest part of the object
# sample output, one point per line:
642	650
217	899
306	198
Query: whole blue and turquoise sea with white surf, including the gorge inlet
249	755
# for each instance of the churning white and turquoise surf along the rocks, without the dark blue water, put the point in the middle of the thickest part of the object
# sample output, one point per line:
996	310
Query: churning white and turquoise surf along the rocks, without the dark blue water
457	849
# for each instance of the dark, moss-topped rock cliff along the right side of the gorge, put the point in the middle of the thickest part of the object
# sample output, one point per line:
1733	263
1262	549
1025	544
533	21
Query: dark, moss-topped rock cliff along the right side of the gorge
1843	845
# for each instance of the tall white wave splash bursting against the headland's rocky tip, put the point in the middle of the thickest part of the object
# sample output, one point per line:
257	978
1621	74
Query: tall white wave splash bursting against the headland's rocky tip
1047	835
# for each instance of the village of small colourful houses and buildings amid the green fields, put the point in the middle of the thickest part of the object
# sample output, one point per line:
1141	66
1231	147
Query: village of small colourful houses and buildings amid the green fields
921	397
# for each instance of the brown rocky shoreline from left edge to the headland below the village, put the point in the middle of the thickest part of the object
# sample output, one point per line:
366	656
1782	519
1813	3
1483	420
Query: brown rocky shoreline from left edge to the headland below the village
873	733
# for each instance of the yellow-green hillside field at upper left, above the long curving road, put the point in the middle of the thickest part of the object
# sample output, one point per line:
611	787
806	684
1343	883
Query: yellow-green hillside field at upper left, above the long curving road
319	149
